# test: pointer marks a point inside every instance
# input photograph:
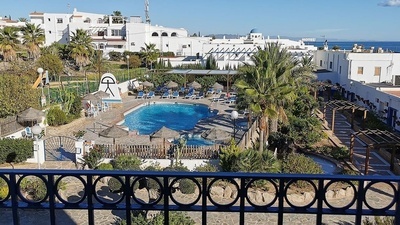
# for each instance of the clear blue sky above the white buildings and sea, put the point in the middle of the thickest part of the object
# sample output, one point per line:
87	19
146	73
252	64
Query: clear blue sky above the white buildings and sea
352	20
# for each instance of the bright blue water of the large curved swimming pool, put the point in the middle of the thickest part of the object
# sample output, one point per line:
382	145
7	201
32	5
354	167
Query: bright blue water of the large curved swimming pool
179	117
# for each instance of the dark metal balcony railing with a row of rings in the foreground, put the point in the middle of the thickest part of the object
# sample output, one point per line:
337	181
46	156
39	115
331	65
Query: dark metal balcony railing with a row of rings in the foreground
318	199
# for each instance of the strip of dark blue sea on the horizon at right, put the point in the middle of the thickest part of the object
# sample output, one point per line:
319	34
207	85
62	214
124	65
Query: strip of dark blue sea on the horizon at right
388	46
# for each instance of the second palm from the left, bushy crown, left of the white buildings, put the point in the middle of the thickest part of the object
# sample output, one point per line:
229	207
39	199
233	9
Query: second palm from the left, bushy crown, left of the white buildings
33	38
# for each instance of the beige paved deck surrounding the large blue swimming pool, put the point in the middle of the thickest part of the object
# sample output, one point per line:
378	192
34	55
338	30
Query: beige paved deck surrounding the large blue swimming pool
93	125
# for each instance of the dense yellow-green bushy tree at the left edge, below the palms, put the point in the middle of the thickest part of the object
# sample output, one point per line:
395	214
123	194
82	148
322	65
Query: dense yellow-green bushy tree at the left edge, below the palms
16	94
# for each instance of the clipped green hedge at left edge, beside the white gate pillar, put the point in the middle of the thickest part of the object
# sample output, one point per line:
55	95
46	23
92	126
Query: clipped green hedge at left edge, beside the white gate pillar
15	150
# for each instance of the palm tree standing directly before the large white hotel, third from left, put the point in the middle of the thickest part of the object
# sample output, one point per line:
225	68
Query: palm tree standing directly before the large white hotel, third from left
81	48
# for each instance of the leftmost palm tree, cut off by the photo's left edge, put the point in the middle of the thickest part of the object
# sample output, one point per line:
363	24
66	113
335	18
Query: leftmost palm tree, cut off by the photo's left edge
9	43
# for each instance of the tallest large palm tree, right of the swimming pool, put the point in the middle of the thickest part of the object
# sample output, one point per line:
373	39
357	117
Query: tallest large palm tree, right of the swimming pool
268	85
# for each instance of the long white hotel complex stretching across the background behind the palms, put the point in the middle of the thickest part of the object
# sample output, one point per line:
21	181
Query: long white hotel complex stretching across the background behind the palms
134	33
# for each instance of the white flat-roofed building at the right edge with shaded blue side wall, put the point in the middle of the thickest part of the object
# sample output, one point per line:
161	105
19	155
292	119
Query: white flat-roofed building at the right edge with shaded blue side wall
368	77
